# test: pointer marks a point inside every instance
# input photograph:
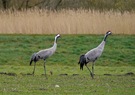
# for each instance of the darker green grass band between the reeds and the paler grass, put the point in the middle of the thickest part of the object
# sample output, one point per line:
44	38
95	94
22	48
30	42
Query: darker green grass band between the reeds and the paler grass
17	49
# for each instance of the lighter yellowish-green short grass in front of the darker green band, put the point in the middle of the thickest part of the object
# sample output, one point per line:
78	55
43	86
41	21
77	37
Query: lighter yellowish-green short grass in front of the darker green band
81	84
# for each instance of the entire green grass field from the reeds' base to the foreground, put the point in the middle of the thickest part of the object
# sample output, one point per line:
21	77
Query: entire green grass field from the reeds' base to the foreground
116	61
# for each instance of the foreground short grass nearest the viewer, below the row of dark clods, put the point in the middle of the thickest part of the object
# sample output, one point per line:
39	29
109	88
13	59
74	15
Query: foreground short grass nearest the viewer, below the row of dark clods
80	84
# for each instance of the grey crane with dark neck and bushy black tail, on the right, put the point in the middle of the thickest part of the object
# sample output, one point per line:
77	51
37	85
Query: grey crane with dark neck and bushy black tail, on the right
93	55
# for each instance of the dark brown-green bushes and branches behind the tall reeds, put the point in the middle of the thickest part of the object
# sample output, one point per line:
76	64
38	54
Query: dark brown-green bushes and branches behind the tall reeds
116	5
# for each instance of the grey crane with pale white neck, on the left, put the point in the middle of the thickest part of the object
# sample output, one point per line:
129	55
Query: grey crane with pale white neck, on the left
44	54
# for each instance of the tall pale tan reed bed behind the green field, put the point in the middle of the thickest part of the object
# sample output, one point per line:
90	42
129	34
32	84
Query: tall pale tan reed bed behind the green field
66	22
